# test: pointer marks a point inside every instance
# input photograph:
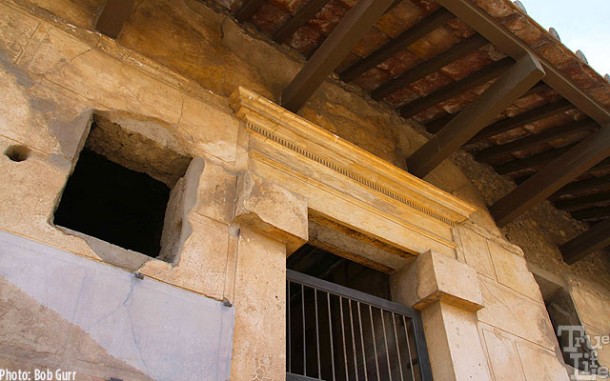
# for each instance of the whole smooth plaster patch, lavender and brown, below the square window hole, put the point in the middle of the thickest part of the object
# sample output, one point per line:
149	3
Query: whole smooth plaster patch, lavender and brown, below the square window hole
68	312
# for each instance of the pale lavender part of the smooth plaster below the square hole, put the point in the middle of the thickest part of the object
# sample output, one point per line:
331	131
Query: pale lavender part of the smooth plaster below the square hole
141	321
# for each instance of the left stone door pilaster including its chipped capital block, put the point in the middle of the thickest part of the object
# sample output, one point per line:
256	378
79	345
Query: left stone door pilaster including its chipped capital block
273	222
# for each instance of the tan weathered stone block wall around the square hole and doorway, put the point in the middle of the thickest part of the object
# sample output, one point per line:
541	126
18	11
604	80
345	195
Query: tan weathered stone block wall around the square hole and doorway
175	64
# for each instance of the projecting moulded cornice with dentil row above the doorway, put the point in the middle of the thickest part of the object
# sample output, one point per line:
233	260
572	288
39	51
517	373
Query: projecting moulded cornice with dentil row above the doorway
367	171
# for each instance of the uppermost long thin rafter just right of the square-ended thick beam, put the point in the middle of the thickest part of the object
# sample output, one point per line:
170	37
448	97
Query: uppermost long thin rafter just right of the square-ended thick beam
522	119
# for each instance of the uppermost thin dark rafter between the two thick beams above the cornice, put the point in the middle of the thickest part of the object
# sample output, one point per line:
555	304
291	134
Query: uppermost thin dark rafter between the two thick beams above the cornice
437	19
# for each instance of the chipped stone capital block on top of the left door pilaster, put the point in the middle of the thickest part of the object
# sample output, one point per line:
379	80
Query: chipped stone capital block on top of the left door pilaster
269	209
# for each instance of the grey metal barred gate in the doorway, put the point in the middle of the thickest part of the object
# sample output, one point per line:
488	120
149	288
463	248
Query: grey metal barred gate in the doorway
339	334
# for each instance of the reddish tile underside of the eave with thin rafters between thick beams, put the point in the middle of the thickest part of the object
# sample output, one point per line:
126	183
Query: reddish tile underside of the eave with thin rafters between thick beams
535	129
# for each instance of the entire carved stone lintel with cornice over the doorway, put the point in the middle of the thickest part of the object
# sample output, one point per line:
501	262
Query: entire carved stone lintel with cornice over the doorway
346	183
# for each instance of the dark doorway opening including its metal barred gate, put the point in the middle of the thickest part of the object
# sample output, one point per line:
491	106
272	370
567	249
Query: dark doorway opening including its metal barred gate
341	324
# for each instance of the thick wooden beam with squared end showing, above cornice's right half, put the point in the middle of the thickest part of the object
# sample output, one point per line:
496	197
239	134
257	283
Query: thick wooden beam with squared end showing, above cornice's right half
510	86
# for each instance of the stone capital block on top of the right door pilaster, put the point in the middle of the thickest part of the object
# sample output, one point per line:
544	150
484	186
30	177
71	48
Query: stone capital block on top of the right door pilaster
433	277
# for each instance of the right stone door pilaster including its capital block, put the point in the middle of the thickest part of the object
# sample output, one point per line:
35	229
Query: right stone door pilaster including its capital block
447	294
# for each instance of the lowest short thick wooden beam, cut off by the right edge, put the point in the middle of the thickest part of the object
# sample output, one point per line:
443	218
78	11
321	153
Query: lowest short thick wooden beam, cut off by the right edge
590	241
